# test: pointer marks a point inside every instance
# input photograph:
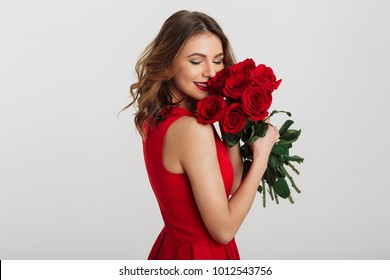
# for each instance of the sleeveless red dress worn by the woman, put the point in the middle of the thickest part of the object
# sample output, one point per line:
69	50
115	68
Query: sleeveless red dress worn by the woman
184	235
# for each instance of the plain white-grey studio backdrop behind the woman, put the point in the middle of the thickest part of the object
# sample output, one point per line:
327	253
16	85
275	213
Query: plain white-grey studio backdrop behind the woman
72	178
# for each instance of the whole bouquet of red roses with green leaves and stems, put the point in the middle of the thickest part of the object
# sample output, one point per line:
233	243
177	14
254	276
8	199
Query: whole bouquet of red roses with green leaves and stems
240	99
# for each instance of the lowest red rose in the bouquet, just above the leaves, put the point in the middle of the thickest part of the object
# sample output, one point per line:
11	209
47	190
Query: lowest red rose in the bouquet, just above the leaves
234	119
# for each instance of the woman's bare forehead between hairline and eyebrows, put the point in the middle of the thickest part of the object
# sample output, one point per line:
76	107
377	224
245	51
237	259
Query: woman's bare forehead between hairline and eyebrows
204	43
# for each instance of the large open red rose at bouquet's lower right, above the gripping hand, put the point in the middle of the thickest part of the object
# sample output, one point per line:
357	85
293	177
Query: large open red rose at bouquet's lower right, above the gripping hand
256	102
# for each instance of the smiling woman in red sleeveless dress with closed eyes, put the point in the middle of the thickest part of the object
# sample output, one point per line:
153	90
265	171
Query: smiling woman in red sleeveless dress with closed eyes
196	178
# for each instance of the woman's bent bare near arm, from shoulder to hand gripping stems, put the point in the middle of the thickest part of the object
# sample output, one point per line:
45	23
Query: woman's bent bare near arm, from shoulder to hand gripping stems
197	155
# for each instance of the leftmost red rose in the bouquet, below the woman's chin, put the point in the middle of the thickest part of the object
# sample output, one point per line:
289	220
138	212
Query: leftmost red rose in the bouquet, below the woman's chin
210	109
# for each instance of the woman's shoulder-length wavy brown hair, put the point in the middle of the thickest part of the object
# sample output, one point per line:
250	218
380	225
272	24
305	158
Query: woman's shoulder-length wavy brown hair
156	66
